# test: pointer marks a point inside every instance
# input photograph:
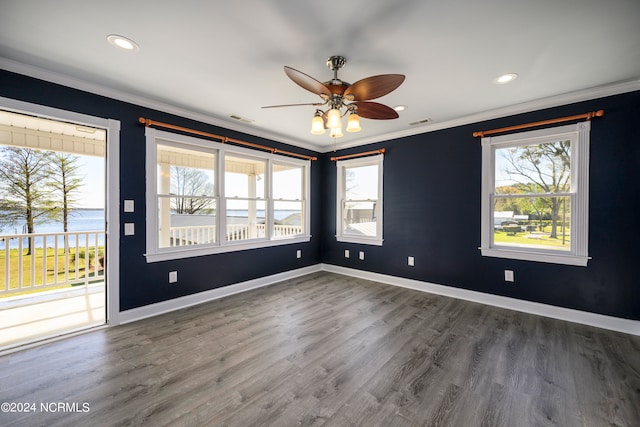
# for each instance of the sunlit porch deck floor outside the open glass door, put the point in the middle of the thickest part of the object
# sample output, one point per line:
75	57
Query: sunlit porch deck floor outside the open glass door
48	314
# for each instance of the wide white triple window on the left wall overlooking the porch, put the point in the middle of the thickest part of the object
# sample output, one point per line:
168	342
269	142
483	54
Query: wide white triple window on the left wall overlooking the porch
204	197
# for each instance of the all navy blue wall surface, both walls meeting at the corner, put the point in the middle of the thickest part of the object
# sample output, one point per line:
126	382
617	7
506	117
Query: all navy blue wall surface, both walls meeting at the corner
431	211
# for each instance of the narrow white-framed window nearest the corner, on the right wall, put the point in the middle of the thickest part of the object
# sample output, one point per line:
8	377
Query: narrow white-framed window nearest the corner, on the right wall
359	200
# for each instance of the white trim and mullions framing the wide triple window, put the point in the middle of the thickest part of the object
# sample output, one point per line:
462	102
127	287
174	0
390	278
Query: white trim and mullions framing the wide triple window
155	254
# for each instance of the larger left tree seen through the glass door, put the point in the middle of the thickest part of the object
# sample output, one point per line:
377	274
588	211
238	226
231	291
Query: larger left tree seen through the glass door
24	173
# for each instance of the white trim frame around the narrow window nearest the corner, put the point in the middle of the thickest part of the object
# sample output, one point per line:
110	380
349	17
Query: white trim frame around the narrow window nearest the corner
340	199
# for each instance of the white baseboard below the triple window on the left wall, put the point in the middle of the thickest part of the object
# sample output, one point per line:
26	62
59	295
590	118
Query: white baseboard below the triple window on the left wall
150	310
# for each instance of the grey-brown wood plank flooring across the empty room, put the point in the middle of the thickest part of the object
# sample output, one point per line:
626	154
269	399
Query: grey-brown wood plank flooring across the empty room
331	350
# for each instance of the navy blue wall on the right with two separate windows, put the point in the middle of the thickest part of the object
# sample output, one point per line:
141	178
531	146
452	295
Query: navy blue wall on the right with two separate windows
432	186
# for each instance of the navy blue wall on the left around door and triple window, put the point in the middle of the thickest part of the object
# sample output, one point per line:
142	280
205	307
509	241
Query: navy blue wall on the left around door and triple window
142	283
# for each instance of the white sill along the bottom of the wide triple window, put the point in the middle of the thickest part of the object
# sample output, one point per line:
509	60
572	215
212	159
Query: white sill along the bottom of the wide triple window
189	252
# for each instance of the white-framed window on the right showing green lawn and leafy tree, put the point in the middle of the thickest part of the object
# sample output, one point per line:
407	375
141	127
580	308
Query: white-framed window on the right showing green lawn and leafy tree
535	195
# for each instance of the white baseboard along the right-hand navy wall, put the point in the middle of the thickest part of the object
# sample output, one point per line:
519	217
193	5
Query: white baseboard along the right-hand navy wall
592	319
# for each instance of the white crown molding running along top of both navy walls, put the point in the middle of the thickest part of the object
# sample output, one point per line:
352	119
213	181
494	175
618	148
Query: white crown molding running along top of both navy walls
539	104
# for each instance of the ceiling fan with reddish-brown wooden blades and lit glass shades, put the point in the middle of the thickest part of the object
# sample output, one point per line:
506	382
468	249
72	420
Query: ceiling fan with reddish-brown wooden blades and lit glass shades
338	95
